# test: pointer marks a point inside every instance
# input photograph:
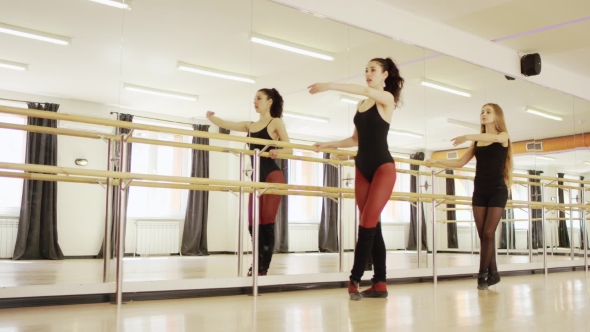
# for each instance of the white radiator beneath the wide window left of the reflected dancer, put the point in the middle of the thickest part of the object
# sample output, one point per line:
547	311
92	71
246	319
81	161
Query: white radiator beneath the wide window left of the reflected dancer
157	237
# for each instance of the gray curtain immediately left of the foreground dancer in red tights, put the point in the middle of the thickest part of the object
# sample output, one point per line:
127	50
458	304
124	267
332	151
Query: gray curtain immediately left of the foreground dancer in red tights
328	234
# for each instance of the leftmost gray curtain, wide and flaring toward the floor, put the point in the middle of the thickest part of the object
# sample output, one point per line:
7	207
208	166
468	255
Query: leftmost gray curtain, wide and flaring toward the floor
37	226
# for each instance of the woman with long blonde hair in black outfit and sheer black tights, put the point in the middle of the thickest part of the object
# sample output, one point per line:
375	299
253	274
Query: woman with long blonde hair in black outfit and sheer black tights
493	153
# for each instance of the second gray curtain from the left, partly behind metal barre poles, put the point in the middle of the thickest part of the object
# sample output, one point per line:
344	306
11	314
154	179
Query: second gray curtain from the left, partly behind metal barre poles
116	151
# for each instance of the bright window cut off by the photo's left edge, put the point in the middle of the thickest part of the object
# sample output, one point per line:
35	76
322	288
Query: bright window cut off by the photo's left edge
12	150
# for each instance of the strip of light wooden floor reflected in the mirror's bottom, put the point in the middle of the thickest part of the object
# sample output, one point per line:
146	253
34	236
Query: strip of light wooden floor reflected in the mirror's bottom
70	271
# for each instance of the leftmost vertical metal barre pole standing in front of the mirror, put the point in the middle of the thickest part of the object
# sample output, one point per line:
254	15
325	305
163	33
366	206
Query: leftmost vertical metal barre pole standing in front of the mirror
120	224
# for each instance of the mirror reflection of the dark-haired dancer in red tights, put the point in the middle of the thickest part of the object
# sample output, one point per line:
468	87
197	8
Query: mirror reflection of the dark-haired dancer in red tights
269	105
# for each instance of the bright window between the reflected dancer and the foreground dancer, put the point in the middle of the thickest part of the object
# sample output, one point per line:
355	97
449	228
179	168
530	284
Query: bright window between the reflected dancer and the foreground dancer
304	173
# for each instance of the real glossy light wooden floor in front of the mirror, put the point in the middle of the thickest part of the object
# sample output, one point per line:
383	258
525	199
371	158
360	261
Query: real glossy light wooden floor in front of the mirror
558	302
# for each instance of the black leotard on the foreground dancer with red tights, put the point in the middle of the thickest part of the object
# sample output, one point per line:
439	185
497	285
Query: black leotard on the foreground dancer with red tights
372	135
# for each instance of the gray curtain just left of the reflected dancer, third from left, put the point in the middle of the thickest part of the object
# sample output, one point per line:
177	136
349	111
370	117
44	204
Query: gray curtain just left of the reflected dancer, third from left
194	237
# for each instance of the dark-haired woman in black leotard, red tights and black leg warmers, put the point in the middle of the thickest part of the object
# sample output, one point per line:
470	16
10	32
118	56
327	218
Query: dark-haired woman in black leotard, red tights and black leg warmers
375	168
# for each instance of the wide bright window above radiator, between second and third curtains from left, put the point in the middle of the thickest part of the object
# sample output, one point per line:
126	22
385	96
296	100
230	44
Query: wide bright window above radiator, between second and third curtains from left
159	160
